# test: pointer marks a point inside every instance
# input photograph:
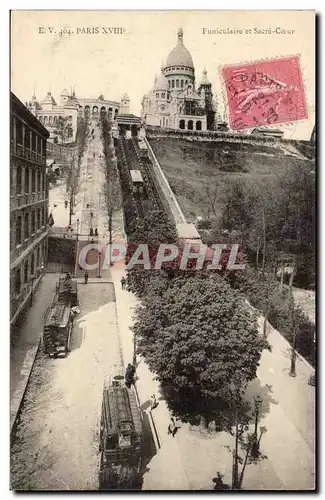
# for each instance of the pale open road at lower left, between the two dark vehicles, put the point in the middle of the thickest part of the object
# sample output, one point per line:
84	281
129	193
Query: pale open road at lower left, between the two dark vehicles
55	445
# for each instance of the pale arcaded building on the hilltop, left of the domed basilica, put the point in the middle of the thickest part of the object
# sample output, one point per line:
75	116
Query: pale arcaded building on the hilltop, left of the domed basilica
70	107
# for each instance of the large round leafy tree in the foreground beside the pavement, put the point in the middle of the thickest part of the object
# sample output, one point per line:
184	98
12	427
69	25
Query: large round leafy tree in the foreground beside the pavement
197	336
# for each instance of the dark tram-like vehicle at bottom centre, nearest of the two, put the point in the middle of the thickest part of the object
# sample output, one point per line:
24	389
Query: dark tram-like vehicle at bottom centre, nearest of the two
120	438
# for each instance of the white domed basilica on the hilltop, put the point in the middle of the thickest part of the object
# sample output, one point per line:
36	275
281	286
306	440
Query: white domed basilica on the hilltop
174	101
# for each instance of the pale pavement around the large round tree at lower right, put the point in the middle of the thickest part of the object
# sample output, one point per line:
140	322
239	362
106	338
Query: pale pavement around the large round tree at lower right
191	459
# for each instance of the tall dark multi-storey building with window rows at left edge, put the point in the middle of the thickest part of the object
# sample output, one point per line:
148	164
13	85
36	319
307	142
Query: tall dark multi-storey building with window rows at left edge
28	204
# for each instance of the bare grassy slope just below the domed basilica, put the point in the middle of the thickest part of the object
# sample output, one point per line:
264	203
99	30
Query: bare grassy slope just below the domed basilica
194	168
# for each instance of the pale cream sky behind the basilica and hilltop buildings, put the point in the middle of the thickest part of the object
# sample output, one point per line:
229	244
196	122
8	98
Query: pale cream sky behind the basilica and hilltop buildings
51	50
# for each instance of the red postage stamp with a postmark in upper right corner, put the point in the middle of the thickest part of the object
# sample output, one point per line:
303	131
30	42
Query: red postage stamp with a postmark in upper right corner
265	93
